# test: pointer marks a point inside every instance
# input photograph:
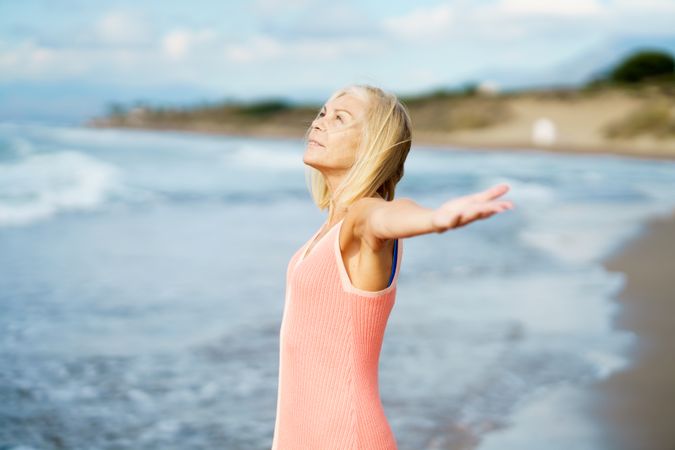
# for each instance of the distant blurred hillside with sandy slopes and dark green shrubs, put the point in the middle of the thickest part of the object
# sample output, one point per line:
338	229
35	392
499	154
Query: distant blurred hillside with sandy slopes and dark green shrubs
629	110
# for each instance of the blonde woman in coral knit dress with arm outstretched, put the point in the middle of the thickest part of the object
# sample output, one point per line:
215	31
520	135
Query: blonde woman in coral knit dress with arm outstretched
341	285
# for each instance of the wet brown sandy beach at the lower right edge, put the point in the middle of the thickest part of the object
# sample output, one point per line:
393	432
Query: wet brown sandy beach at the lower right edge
637	405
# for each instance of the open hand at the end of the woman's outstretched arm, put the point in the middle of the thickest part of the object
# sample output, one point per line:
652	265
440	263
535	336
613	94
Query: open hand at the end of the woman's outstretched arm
464	210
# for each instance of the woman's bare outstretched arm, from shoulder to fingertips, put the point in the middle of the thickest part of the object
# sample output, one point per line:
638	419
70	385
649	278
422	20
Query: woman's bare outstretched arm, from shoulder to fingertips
377	220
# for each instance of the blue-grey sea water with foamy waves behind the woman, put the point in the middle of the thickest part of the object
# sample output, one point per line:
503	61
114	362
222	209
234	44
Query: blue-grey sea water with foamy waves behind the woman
142	284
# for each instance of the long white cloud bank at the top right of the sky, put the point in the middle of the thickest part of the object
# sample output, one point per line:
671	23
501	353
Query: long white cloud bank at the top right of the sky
517	22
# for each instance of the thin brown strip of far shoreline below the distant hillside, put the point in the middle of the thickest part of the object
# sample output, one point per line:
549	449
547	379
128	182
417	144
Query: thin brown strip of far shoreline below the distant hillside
437	143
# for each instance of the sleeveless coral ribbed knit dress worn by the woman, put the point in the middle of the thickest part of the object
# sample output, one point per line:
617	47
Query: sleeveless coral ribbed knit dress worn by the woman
330	340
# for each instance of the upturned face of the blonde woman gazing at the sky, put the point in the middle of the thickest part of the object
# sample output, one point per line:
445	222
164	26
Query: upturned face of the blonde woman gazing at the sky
336	134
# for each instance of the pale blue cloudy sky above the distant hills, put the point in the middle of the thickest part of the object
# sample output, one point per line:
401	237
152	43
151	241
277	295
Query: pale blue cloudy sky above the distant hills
67	59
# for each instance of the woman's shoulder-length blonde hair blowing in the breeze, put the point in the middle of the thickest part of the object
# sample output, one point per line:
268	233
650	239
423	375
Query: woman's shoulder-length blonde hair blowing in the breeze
384	146
